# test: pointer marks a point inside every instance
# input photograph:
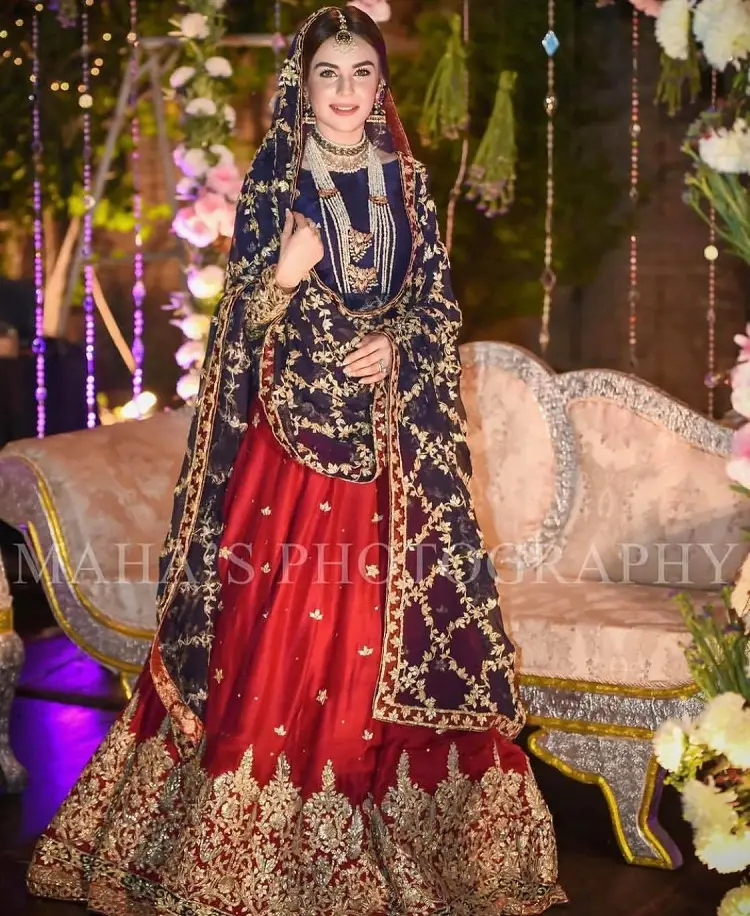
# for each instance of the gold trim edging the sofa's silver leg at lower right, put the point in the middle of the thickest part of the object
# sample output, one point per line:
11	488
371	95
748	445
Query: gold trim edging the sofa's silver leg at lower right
664	859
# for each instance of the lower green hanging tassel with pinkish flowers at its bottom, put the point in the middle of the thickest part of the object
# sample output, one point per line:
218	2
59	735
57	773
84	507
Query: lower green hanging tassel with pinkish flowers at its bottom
492	176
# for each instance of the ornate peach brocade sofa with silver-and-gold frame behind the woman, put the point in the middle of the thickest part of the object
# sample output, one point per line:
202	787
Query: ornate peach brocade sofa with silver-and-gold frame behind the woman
588	486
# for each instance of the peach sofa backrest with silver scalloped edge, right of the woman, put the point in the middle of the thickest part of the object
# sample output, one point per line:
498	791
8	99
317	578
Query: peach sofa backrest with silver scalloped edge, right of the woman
598	475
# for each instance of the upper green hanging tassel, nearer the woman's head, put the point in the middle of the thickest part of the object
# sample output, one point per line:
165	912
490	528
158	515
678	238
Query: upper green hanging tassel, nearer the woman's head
446	114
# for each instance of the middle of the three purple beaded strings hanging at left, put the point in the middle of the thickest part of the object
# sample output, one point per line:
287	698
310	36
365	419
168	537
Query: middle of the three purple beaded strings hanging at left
88	219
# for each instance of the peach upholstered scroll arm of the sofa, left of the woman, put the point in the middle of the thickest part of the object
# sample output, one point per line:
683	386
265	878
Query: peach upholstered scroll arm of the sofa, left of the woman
108	491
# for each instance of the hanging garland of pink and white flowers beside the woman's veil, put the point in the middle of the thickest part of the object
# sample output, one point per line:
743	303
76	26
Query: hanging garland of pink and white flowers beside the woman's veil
210	183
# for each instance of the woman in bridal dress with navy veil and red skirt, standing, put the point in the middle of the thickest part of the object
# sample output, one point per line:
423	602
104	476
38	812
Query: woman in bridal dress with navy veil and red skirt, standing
325	722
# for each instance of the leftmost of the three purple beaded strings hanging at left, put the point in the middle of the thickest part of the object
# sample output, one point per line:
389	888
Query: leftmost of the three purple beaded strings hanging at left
38	345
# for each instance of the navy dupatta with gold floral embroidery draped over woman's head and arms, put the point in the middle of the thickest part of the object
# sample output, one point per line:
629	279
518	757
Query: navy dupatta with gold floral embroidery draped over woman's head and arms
446	662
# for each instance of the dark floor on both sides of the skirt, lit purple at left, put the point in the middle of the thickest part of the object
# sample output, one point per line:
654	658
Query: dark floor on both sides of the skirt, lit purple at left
65	703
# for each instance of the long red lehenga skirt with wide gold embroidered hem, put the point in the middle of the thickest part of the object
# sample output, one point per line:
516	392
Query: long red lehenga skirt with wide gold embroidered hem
298	801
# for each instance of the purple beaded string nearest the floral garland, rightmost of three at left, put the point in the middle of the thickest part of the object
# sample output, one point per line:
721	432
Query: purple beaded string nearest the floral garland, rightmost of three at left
139	289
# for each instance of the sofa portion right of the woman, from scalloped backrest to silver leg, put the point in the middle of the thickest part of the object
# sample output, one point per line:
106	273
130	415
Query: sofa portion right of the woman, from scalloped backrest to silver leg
600	496
